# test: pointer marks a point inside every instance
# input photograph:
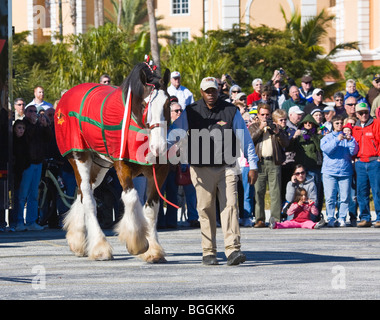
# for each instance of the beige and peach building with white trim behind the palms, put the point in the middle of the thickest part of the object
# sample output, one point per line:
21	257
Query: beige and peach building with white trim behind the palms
356	20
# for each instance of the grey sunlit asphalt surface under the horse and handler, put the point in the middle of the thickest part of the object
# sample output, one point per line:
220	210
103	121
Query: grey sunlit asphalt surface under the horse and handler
287	264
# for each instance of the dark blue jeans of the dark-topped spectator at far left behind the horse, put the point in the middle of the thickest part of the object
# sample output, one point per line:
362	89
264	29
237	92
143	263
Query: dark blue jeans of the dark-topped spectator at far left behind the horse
28	193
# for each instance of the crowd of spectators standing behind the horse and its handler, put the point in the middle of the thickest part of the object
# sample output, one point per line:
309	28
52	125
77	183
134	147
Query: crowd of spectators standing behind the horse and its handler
313	153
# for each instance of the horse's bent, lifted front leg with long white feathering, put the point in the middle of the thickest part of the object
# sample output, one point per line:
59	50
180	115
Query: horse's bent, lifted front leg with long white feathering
132	228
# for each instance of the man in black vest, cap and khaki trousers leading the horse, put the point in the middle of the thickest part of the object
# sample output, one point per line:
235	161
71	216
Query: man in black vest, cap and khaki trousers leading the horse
210	162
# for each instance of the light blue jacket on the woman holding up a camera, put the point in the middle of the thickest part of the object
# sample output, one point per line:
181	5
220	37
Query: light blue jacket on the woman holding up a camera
337	155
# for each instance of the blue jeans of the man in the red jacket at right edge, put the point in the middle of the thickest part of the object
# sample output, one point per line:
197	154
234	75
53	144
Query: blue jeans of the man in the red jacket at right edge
368	177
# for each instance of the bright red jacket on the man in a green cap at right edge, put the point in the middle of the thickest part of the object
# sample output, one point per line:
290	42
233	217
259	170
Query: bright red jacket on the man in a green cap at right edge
368	139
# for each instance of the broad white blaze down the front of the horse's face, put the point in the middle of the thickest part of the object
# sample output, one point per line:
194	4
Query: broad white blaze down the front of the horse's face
157	140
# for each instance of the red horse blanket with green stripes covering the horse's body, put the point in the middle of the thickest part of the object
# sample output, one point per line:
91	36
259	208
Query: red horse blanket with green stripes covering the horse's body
98	117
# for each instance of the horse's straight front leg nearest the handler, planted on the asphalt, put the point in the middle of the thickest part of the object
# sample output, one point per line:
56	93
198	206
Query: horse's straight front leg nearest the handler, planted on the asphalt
155	253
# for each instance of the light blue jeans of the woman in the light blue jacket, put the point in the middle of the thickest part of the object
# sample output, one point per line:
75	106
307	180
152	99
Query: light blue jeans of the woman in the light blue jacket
332	186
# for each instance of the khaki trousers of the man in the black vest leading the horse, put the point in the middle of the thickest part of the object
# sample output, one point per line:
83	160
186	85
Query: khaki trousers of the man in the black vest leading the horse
210	182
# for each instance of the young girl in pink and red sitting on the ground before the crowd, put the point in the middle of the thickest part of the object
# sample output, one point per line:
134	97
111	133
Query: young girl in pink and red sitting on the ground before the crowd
301	209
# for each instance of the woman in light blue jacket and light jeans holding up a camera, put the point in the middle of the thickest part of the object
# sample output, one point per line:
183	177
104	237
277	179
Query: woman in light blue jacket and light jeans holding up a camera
338	150
